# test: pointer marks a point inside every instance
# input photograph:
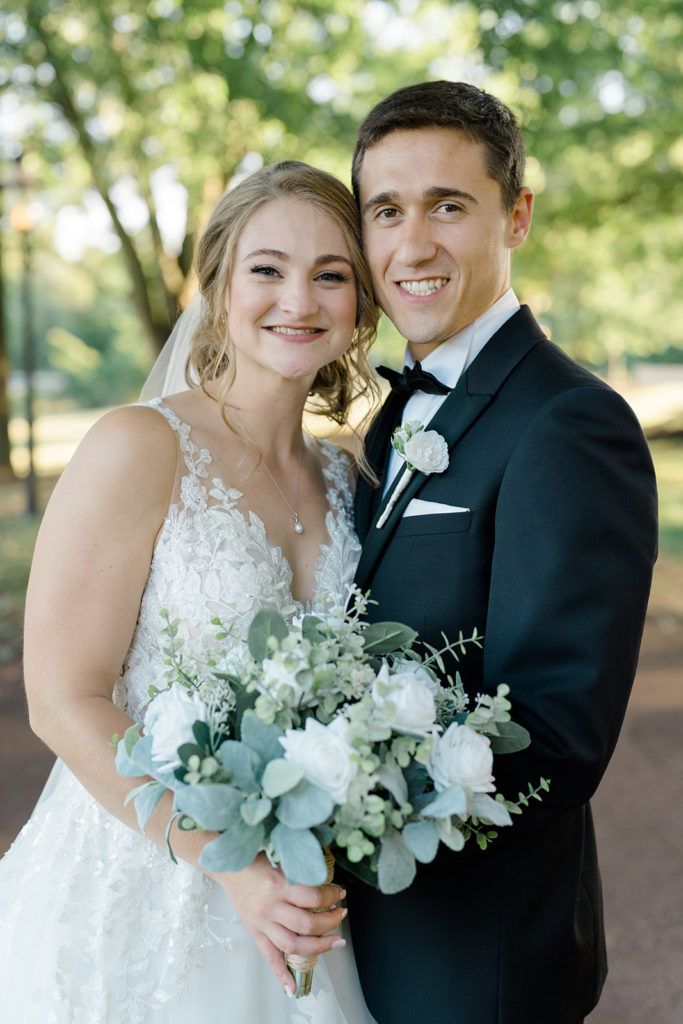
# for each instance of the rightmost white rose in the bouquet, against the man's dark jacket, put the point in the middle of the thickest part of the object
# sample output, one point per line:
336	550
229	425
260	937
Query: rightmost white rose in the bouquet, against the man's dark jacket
462	757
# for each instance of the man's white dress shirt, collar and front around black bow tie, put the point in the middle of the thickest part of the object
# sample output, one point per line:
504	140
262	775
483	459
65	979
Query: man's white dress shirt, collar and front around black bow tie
449	362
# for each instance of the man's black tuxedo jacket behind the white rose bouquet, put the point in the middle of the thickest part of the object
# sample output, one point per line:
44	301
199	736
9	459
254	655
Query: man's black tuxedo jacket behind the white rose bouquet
553	564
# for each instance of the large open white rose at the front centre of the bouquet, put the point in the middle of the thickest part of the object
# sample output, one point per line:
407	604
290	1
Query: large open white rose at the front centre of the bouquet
325	754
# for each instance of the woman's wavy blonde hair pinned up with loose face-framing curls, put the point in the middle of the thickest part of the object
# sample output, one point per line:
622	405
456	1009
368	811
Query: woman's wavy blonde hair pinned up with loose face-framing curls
336	385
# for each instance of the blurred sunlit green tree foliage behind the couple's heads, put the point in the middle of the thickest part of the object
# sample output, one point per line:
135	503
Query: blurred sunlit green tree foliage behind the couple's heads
157	105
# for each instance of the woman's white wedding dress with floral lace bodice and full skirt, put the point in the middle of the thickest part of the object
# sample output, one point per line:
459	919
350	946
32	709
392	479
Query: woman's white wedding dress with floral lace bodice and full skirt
98	925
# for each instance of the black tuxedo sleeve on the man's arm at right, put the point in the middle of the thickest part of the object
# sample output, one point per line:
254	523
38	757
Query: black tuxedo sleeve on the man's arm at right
575	545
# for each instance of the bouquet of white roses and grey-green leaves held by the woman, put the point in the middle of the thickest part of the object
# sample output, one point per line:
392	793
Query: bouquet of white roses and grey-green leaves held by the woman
324	733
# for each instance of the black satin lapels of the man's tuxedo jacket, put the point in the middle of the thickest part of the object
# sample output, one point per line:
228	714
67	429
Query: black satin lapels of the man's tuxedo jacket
476	391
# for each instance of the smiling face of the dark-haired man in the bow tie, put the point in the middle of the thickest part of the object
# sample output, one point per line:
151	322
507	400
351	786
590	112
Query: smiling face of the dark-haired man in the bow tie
436	233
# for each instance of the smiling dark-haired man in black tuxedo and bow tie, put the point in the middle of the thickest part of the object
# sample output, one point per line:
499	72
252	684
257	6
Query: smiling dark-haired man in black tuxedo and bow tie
541	533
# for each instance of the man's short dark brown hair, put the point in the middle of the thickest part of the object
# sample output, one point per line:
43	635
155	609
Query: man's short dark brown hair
481	118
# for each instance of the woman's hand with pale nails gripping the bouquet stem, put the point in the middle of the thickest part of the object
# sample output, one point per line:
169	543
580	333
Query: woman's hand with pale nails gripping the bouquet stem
280	917
